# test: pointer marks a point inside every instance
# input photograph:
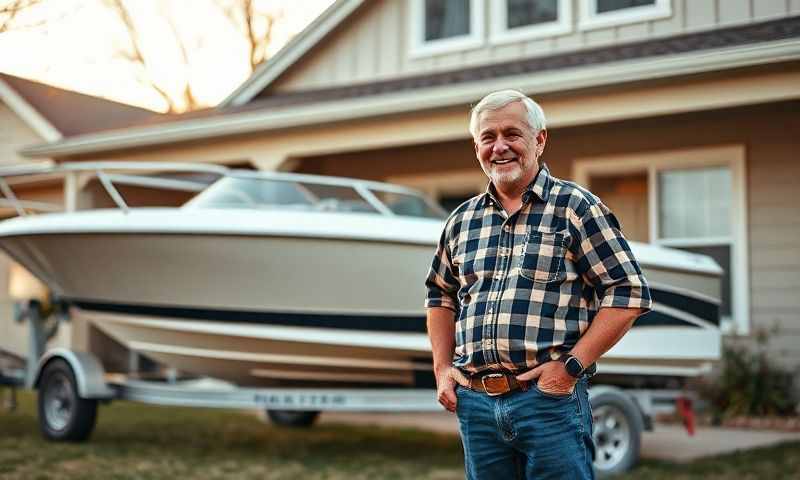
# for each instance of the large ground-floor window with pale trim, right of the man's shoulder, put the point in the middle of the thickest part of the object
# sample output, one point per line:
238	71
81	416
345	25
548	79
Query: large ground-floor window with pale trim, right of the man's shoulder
695	201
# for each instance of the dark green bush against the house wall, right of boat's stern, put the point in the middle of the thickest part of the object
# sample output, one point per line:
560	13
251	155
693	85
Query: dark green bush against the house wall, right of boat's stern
749	384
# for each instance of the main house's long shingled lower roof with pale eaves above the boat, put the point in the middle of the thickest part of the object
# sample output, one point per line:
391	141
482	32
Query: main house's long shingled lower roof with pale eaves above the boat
708	51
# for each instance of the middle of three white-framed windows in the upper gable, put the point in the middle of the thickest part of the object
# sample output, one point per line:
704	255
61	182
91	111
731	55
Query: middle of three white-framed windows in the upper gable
515	20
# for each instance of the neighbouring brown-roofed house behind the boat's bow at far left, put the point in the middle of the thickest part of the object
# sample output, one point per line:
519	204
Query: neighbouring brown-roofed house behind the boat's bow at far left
32	113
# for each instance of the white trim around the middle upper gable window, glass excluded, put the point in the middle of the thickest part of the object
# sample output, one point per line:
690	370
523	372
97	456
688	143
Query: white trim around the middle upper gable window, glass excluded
500	34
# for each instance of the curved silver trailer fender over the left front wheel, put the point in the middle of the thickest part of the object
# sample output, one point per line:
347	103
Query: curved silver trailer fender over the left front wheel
89	373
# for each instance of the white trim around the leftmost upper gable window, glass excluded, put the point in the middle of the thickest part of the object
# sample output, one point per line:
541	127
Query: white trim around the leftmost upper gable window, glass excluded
419	48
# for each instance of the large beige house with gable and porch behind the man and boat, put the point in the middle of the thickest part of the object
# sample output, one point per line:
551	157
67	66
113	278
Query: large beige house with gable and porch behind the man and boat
681	115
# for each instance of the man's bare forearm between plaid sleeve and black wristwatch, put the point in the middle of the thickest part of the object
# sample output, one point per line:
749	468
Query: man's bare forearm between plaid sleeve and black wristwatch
607	328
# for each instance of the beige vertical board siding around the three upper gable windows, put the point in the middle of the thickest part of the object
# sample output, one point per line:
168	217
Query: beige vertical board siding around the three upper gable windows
374	43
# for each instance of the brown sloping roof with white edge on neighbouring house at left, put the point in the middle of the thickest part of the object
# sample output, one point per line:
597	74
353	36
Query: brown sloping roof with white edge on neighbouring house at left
66	112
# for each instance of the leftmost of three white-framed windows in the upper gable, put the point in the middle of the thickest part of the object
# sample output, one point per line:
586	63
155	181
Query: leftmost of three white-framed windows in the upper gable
442	26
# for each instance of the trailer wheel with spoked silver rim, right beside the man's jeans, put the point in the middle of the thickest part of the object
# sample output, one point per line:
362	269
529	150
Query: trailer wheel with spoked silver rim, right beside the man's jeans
617	433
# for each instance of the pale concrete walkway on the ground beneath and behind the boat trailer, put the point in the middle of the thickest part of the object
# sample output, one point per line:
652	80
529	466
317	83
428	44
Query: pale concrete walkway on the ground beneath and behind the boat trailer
666	442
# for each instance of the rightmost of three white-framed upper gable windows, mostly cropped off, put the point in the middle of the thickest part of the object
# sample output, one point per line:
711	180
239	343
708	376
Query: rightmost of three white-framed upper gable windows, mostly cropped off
607	13
